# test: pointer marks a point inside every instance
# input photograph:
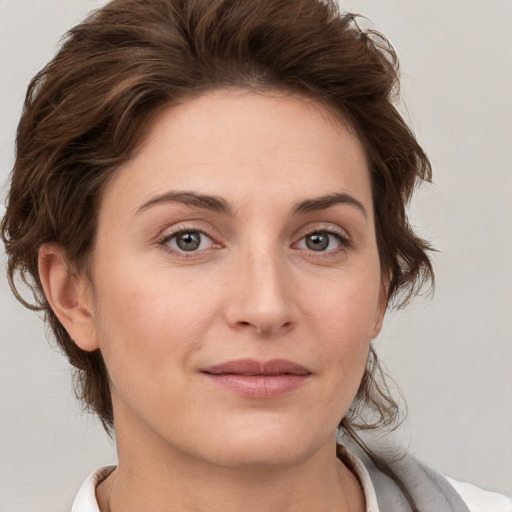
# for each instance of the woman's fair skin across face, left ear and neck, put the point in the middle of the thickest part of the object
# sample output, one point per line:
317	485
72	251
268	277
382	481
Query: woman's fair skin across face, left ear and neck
242	229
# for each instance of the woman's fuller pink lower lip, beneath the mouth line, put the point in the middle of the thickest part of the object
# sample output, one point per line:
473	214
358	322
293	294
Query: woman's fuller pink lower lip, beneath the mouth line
259	386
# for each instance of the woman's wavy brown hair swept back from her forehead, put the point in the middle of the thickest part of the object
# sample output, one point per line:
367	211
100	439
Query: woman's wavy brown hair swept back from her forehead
87	110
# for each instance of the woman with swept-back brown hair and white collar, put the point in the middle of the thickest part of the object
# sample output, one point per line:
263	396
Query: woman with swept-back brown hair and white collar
210	200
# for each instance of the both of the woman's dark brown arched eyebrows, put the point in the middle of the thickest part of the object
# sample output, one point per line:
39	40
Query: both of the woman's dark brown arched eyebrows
220	205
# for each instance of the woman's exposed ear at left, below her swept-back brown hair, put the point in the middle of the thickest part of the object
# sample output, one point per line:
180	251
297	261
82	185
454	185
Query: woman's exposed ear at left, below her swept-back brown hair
69	296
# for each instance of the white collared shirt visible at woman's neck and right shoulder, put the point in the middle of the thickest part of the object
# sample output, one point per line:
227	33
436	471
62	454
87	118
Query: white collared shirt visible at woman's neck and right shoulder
477	500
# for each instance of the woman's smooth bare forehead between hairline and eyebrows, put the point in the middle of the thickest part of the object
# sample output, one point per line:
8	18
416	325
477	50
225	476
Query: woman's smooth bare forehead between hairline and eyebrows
240	143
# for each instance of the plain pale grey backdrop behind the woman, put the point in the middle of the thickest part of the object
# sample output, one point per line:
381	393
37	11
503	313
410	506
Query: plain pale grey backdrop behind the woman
451	356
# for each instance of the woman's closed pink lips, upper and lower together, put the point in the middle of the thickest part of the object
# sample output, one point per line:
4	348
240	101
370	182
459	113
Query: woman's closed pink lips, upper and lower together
258	379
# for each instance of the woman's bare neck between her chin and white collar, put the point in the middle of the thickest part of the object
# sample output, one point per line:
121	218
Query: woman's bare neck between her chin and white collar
155	477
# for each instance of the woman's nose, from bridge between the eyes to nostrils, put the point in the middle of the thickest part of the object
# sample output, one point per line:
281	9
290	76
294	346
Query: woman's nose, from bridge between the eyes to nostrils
262	299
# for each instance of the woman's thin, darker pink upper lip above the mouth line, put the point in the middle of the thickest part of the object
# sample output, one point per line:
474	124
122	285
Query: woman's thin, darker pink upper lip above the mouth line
251	367
